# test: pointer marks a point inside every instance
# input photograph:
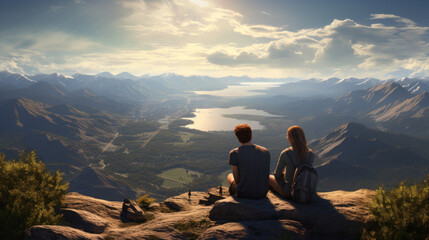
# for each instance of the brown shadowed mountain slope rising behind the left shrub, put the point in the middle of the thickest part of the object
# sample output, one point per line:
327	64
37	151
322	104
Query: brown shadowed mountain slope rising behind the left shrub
64	136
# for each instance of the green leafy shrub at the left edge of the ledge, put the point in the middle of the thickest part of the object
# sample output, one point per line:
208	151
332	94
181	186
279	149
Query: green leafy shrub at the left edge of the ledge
28	195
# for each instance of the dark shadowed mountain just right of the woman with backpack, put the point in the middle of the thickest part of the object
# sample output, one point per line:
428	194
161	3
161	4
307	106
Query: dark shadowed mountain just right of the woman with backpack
353	156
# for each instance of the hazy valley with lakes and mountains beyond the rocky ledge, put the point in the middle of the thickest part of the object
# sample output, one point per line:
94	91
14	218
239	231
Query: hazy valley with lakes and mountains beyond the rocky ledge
166	134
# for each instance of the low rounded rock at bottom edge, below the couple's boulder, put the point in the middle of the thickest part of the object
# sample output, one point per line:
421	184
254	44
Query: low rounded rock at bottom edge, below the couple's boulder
266	229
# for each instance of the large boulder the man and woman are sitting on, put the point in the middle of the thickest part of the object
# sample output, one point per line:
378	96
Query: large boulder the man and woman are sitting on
338	213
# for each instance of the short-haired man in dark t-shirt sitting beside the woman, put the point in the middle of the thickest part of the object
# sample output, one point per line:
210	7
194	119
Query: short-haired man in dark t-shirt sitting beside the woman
250	165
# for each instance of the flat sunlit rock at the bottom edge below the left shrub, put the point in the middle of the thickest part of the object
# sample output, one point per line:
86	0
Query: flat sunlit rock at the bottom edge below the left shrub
49	232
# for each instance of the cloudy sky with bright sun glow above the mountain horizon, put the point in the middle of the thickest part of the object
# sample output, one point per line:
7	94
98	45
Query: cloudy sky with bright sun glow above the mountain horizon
256	38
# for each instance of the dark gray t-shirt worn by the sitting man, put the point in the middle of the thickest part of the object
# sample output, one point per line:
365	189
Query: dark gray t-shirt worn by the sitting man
253	163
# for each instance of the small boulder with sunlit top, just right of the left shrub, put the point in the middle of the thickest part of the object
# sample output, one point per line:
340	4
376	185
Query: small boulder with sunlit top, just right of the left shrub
84	220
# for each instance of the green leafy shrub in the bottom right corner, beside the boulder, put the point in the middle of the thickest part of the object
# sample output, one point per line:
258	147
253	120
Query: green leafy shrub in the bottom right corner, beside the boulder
401	213
